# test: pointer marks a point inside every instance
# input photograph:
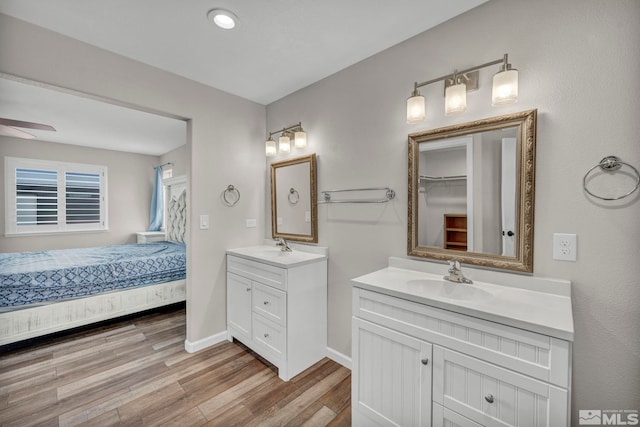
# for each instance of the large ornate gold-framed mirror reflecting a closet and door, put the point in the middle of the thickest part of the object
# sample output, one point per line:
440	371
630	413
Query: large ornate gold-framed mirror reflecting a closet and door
472	190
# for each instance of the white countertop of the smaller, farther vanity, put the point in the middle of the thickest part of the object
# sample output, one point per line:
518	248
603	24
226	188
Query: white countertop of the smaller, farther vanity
274	256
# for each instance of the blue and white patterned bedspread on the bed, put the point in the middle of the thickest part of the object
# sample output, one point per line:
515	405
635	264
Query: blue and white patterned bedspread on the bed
37	277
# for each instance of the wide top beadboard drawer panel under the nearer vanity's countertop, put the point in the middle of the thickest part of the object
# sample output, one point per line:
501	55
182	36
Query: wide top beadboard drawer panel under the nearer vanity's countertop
533	354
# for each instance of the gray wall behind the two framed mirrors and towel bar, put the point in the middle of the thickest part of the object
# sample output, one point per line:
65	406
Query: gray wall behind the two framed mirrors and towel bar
573	57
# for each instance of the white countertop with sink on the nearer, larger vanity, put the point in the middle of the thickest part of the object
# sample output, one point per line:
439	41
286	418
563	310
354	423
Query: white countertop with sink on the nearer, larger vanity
543	312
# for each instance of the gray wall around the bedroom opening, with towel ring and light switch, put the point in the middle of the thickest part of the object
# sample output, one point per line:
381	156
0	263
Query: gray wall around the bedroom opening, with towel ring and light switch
225	135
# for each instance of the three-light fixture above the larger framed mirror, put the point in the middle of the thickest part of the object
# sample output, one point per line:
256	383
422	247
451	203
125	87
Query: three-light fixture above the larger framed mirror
505	89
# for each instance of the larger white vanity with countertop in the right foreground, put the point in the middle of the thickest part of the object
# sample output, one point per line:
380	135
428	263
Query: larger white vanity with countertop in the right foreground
431	352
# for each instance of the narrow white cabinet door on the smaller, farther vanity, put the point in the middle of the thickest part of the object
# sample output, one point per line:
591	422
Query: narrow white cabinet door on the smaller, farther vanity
239	305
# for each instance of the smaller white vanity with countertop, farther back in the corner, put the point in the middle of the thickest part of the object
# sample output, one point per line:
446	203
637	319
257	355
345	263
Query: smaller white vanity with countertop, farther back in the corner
277	304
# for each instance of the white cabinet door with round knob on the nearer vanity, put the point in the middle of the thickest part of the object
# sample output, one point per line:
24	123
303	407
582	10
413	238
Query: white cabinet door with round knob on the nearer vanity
391	377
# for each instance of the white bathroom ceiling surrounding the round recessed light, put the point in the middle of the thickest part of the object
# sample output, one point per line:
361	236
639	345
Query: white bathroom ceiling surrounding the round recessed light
279	46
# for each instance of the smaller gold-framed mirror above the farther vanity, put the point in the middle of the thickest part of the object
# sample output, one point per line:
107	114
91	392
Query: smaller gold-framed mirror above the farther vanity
294	200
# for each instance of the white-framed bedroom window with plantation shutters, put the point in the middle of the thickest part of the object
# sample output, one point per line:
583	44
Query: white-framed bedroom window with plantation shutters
50	197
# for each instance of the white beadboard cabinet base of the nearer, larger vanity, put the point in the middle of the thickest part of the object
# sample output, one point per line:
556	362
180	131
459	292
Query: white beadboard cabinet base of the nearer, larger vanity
414	364
